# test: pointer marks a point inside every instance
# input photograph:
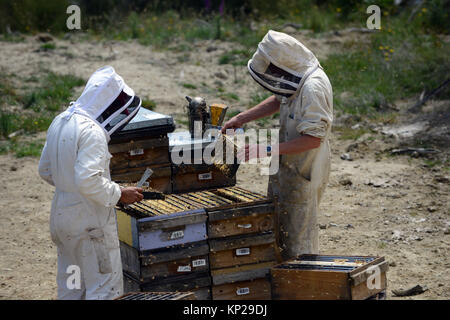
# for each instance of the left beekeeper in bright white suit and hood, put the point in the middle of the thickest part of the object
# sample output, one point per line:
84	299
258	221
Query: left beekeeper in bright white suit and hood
75	159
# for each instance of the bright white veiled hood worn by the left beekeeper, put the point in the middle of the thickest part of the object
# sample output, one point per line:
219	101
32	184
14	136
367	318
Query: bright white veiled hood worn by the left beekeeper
107	100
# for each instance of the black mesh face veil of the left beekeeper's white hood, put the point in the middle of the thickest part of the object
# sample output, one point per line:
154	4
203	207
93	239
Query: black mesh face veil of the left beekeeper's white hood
119	113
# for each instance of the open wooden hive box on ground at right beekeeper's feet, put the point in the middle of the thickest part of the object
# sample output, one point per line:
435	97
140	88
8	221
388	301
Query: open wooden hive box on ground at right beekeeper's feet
326	277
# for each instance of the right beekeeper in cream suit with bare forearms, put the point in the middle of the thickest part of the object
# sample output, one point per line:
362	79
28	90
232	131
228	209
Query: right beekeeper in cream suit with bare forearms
303	95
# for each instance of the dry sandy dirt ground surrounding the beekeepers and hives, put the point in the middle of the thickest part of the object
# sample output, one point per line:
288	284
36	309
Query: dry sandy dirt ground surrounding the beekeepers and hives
376	204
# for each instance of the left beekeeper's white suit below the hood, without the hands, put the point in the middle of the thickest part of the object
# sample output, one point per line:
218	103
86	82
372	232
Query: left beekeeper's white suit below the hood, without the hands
83	223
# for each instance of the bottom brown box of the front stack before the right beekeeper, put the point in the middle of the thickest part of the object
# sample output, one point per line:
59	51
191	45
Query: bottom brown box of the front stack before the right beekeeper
247	282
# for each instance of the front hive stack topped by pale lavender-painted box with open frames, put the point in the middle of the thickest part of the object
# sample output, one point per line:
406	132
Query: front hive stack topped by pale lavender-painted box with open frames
163	246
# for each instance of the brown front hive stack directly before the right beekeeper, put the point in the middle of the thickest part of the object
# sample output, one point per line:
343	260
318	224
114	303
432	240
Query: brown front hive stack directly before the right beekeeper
242	246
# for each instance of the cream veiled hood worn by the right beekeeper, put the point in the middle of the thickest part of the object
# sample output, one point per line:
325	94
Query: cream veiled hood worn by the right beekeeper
281	63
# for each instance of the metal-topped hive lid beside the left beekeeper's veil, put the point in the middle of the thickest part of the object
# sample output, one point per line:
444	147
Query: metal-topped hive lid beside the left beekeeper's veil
146	123
